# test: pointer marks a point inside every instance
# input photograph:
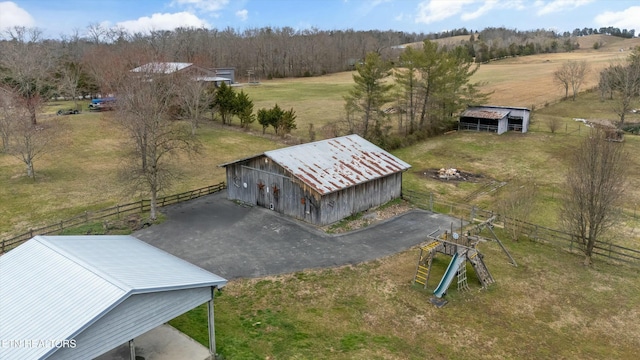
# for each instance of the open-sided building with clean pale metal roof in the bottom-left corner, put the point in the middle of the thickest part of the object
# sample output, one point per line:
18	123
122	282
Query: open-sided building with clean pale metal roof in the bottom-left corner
77	297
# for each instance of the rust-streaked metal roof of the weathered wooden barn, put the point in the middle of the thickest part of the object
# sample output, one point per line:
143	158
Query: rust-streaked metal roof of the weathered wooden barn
335	164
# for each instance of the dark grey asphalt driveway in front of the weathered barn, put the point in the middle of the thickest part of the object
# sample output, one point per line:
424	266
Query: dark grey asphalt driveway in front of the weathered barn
236	241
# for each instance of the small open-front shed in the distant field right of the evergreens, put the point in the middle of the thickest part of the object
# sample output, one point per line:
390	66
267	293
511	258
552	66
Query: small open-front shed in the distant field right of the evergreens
498	119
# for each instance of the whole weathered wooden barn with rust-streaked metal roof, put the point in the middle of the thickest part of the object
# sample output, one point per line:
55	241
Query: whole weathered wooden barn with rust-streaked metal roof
320	182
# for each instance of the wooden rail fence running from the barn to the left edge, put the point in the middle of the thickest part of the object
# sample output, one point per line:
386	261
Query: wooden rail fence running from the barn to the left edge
112	212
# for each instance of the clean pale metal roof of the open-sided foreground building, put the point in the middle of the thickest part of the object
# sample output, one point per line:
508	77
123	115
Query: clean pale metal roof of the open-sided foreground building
54	287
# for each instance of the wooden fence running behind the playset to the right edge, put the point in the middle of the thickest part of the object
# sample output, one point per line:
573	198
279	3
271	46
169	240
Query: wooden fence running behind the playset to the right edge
534	232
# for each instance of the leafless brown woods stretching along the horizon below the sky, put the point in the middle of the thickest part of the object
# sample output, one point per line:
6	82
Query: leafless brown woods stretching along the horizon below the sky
267	52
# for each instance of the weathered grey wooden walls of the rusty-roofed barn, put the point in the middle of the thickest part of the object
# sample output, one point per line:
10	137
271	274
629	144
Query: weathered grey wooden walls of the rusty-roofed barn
259	181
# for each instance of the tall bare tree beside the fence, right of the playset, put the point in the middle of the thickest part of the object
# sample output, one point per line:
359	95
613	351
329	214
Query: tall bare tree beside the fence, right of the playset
593	190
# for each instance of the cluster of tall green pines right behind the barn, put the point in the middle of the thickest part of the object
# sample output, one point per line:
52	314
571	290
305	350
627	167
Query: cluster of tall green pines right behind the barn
423	92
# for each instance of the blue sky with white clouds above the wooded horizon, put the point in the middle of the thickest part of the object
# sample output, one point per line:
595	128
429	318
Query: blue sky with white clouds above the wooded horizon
62	17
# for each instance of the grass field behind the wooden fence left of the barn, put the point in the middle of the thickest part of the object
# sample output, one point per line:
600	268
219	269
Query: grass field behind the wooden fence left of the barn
81	172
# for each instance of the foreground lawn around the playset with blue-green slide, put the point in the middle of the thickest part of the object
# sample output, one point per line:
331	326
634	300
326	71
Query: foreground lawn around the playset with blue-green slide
549	307
